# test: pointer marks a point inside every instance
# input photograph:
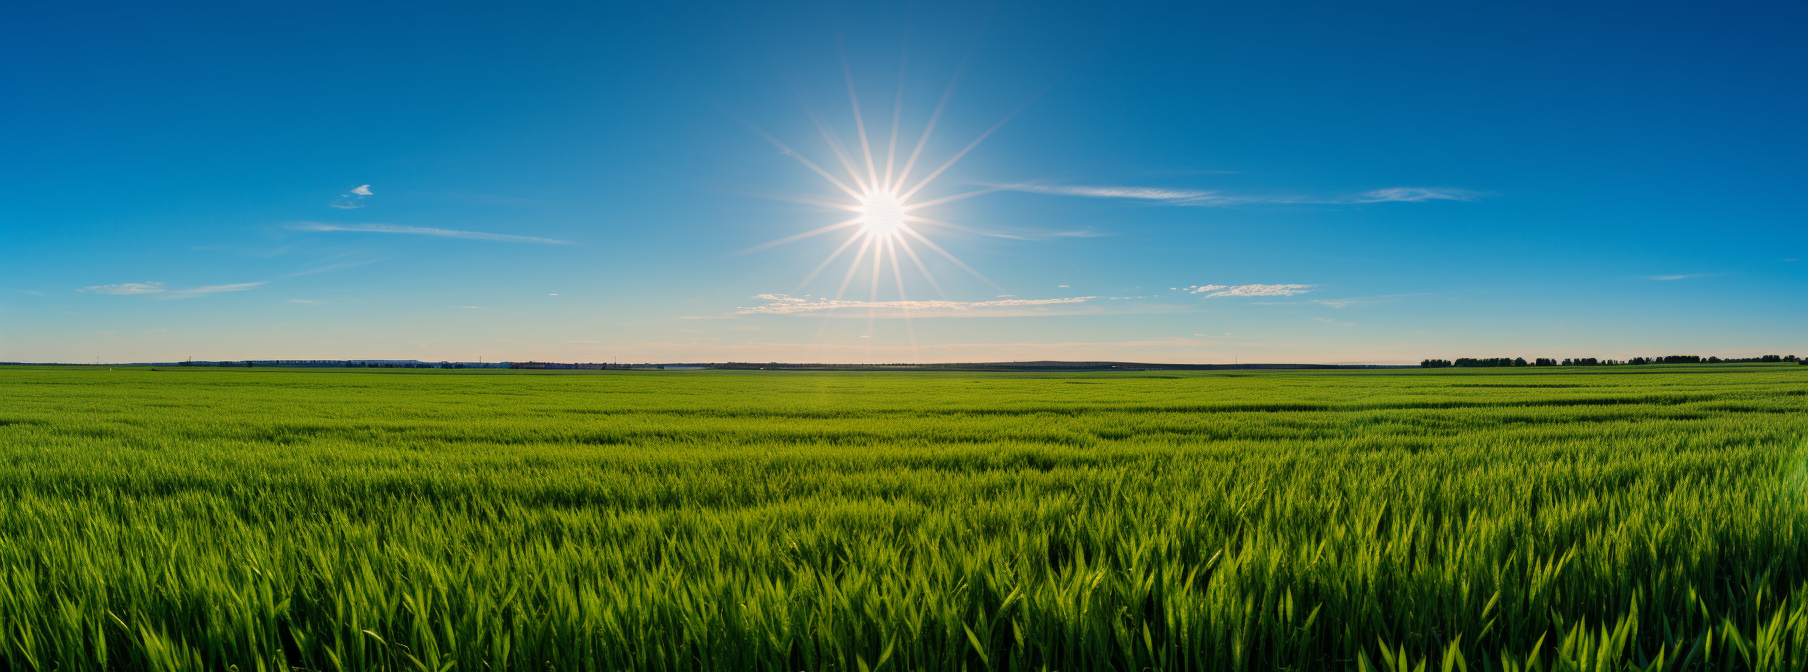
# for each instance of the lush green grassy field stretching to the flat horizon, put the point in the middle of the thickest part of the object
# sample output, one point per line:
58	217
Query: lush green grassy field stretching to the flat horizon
205	519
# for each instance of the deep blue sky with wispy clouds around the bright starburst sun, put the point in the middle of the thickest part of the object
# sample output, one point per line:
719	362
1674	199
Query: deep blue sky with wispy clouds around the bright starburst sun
1355	183
